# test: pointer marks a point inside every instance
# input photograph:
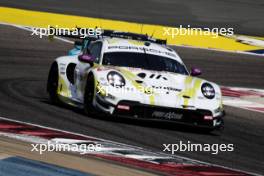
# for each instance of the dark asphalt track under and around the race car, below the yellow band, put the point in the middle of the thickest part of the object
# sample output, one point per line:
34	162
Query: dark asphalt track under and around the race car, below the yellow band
24	66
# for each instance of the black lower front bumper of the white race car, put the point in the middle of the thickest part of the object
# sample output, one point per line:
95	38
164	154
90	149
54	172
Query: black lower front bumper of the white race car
198	117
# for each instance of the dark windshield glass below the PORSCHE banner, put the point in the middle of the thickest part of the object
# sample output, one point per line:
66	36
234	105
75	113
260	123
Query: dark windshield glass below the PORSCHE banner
144	61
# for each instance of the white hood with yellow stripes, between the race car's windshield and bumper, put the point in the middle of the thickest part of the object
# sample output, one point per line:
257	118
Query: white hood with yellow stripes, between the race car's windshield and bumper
160	87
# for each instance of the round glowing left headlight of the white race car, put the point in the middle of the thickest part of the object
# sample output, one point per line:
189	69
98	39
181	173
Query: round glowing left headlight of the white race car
115	79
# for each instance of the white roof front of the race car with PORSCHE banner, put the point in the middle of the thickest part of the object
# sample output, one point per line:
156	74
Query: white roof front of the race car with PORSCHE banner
127	45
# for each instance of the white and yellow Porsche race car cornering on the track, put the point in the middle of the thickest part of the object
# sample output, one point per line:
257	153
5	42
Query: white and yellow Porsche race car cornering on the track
130	75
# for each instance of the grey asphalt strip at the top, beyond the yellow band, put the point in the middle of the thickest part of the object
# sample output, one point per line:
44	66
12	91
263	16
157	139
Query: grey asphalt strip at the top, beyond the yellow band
245	16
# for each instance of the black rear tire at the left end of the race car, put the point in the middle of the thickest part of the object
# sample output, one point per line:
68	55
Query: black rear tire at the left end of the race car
52	83
